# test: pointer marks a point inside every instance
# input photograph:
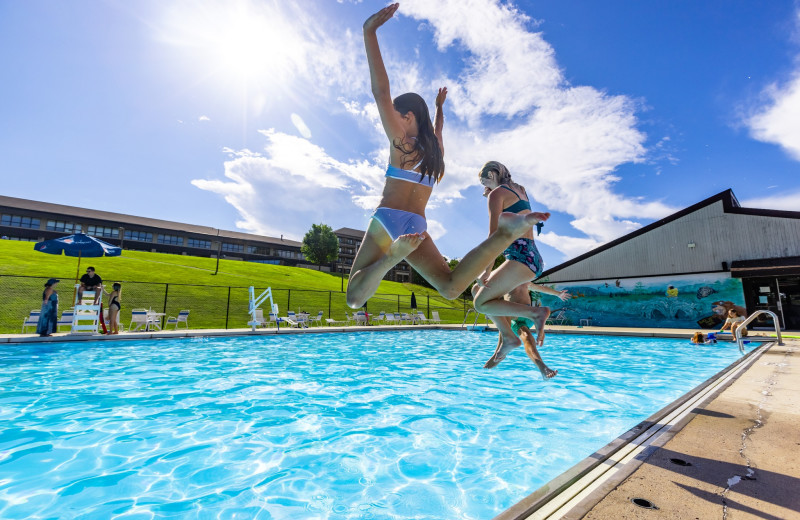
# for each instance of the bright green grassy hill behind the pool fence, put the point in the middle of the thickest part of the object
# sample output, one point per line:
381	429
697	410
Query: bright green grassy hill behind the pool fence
169	283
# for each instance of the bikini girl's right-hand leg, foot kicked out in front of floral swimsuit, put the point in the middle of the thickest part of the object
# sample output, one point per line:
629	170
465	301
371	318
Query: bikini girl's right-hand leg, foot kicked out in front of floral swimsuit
428	261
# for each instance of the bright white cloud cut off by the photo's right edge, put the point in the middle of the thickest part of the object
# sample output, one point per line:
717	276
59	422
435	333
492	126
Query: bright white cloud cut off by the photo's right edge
776	120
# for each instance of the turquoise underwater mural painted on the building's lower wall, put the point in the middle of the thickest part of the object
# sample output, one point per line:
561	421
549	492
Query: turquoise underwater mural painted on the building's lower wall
688	301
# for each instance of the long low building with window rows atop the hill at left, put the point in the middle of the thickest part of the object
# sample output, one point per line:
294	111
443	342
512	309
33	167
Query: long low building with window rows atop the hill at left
22	219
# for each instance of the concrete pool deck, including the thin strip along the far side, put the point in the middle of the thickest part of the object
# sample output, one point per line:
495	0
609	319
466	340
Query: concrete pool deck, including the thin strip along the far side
741	439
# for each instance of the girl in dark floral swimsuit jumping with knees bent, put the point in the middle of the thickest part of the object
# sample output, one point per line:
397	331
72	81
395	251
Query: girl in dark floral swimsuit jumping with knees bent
523	263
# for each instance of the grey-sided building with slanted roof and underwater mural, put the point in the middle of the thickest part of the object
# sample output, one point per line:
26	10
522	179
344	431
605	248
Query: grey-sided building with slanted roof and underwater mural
688	269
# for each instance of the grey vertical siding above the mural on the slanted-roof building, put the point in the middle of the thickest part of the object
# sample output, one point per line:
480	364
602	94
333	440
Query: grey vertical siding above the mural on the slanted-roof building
717	237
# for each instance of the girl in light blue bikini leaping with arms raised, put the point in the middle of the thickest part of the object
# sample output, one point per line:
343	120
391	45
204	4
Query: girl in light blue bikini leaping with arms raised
398	228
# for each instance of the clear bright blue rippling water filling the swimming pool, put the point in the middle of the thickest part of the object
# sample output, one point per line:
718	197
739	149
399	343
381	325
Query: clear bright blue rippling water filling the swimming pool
381	425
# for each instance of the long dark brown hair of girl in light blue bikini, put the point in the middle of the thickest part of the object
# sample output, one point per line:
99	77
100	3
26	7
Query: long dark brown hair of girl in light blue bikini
425	149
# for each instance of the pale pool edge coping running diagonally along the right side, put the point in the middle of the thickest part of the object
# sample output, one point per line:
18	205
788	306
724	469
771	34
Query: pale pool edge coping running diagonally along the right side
528	507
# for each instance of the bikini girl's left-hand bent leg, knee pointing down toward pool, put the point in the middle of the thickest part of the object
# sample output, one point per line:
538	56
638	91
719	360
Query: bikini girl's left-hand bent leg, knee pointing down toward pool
377	254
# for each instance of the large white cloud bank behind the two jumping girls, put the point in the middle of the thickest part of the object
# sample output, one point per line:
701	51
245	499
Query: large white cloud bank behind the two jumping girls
511	102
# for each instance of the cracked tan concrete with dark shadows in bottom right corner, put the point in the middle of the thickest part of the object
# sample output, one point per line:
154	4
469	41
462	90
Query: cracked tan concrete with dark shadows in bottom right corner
743	451
